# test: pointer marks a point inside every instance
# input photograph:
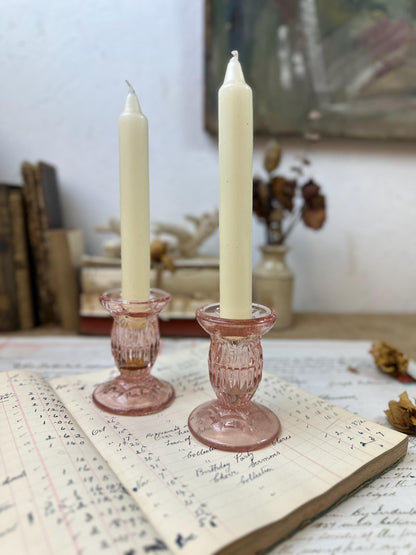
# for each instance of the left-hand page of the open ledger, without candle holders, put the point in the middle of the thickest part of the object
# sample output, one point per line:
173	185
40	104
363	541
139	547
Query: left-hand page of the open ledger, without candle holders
57	493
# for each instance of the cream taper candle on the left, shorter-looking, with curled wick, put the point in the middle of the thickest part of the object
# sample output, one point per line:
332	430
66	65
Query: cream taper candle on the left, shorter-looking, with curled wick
134	201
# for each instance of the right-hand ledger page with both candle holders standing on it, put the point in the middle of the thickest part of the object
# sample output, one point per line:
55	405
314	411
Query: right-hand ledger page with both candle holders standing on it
201	499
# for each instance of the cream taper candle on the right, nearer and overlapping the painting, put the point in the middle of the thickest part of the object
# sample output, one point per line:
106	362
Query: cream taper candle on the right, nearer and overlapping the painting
235	144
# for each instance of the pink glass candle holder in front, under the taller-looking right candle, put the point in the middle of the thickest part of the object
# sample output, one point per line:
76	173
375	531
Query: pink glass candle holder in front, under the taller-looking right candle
233	422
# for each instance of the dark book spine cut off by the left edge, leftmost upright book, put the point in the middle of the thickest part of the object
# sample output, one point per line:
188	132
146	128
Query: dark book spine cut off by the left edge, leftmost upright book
9	319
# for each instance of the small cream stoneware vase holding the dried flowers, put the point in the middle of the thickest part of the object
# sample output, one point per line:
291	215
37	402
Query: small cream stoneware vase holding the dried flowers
273	283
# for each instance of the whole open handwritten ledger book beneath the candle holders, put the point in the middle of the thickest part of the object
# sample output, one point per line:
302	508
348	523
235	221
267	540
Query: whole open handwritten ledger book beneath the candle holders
78	480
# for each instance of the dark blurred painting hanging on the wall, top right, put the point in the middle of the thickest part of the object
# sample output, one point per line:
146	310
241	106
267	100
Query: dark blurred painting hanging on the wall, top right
335	68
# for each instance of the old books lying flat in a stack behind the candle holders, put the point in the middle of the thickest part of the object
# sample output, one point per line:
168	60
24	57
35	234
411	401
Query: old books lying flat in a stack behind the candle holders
193	283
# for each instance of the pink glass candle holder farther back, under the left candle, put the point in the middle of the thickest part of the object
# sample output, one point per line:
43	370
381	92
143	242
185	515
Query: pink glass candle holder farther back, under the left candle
135	342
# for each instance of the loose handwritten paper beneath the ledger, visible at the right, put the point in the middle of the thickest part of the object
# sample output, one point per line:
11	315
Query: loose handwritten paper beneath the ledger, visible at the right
380	518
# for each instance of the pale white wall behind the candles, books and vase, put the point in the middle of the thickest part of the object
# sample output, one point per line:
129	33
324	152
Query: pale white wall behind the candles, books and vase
62	89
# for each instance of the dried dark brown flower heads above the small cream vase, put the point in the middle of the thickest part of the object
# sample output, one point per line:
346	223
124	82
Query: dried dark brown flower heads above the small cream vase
281	201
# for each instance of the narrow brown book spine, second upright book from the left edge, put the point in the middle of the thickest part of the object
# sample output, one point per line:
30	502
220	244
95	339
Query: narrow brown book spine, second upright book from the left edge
22	268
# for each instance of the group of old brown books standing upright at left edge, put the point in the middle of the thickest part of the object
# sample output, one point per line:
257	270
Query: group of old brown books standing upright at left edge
38	256
